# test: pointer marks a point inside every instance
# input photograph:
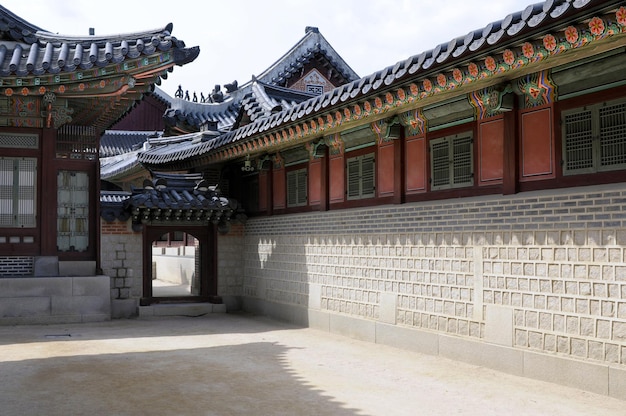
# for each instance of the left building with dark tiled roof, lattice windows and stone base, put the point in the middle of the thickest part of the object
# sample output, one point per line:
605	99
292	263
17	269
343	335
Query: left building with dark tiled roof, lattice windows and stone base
58	94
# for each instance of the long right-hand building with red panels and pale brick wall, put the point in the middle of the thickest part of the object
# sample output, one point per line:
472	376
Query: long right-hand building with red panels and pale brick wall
468	201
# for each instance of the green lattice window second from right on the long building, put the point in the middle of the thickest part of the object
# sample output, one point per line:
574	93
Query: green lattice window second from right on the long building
452	162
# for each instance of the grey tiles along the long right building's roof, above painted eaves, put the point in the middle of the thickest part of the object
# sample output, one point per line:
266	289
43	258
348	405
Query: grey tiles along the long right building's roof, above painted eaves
533	21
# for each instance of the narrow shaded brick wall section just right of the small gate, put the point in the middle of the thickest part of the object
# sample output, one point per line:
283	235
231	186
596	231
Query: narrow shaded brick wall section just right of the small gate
230	261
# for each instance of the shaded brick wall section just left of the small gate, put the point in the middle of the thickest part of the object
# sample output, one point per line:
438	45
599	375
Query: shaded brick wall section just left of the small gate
121	251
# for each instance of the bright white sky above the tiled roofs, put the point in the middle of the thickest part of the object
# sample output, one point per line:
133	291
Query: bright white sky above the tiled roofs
241	38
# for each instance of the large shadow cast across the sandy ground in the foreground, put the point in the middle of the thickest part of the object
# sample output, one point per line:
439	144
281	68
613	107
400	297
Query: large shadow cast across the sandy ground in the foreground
252	378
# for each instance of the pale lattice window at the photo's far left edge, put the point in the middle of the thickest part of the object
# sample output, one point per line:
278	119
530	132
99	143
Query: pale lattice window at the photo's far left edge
18	191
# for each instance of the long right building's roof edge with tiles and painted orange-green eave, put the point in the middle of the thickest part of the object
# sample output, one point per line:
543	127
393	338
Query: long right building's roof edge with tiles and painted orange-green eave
542	36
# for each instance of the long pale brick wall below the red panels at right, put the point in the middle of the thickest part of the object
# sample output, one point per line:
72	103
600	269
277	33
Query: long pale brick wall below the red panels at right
557	259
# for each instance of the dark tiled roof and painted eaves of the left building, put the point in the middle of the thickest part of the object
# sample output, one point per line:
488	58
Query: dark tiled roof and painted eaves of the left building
101	76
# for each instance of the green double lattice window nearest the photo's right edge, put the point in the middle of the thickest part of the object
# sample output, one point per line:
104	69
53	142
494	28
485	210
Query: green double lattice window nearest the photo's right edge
594	138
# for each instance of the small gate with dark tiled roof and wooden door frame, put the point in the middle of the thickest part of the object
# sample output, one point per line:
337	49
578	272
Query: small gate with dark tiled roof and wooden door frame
189	204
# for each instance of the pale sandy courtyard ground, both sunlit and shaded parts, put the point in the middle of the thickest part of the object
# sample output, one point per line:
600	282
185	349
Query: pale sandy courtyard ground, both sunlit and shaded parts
224	364
